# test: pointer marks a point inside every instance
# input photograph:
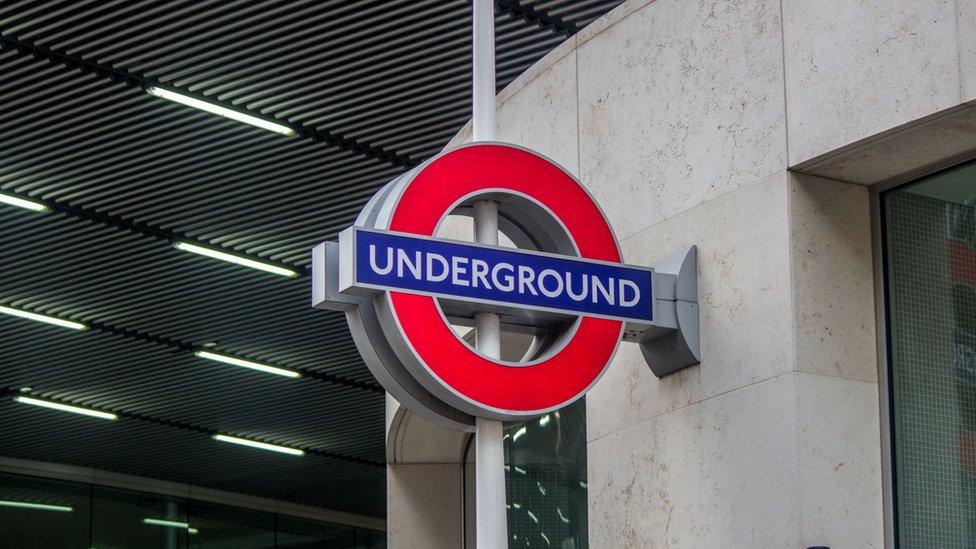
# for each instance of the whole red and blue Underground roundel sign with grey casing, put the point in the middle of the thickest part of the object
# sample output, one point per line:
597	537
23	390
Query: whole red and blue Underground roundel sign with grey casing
560	288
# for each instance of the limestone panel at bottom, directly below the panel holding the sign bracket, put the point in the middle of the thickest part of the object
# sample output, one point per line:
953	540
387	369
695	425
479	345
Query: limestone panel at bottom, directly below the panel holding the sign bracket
720	473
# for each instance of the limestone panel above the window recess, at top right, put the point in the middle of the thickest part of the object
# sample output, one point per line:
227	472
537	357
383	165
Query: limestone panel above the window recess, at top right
857	68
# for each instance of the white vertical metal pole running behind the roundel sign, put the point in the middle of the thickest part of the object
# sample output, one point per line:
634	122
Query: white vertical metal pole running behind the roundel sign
491	528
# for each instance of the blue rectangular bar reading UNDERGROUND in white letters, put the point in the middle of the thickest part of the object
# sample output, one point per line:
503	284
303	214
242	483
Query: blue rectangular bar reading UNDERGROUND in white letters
470	272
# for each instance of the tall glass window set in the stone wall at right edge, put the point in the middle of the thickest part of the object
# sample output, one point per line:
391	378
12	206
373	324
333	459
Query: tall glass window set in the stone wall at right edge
930	252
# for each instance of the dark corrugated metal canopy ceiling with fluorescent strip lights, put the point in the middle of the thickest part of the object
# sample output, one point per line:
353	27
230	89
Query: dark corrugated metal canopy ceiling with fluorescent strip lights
370	87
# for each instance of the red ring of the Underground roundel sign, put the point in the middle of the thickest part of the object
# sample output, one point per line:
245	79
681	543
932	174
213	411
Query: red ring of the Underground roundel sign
522	390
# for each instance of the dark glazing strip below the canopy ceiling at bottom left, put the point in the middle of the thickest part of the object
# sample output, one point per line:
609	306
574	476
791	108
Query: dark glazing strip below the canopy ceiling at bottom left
48	514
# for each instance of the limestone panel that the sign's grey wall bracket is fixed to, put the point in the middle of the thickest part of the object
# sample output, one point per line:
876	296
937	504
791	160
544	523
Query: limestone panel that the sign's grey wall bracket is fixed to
744	299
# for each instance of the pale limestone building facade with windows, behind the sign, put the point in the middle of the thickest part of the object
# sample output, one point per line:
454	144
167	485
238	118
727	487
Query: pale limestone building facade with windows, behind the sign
815	152
